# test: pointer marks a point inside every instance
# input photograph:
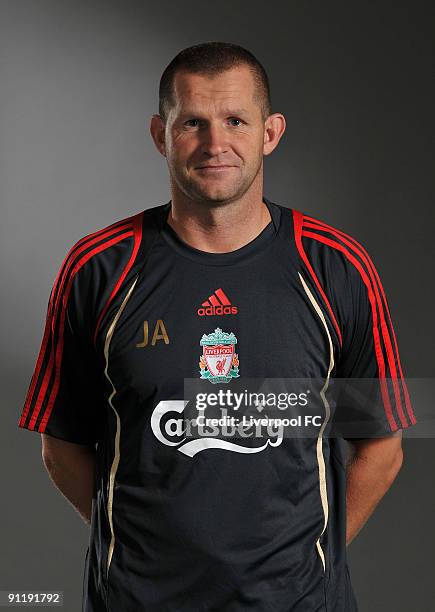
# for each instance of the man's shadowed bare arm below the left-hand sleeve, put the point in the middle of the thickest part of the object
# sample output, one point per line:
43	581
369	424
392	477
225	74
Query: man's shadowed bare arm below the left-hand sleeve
71	468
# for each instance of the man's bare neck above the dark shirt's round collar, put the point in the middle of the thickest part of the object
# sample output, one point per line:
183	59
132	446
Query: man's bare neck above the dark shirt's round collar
218	229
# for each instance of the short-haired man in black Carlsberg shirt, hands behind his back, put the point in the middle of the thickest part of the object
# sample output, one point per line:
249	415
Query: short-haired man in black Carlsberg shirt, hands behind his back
219	284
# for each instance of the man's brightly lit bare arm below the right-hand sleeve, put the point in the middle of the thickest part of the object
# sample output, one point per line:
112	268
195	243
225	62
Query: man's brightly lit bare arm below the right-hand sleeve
372	467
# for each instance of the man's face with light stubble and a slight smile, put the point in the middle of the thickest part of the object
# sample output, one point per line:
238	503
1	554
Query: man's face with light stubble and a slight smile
215	122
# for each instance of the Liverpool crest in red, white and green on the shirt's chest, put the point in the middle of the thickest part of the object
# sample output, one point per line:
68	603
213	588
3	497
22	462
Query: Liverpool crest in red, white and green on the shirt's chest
218	362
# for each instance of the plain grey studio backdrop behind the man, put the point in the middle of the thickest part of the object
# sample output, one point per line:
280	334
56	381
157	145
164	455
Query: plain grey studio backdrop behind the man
78	85
